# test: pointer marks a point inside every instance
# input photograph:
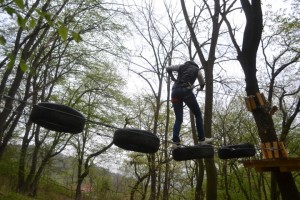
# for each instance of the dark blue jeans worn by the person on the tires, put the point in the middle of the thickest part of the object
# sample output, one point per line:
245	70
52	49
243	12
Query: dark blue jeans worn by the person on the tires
179	96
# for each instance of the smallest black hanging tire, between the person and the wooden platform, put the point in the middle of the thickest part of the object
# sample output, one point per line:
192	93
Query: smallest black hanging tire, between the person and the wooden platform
236	151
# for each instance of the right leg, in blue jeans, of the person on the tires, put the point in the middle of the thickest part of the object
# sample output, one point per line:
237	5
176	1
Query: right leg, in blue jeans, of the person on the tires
193	105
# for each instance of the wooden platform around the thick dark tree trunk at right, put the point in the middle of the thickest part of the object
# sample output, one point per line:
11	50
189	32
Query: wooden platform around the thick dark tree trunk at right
284	165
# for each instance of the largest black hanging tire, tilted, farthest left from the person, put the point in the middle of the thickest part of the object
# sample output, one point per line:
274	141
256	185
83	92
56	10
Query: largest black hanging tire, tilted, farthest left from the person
57	117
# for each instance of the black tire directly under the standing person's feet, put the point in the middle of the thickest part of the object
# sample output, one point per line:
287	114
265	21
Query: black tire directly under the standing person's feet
193	152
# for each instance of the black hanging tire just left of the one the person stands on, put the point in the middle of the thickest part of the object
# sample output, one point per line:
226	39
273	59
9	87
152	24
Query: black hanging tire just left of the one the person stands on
136	140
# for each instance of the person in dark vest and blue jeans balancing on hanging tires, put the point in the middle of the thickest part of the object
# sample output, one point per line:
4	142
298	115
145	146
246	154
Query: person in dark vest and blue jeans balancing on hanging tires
182	92
